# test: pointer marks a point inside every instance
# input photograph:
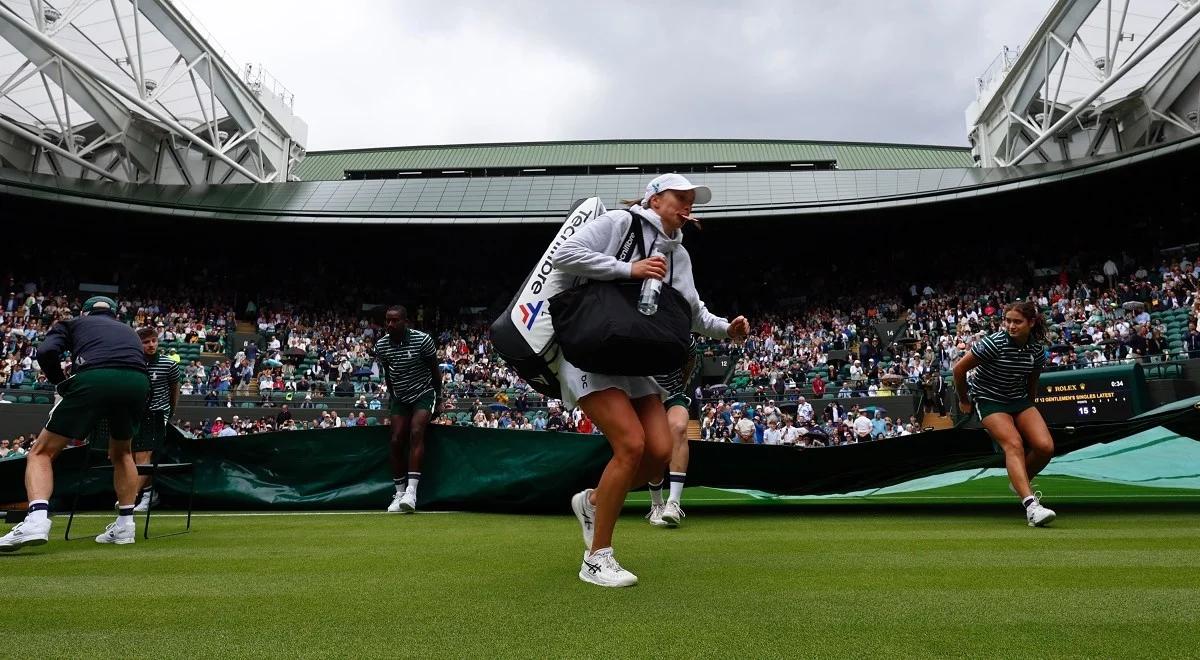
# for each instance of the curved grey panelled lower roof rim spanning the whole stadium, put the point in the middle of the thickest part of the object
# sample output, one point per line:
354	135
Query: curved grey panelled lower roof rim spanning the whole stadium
545	200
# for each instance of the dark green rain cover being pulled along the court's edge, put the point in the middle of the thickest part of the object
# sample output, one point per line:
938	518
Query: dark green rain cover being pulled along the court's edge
529	471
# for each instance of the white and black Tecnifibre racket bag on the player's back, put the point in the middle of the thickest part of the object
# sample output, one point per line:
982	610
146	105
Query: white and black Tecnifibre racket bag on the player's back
524	335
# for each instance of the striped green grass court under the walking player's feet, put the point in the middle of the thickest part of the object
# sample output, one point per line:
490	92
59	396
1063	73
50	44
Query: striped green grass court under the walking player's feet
950	573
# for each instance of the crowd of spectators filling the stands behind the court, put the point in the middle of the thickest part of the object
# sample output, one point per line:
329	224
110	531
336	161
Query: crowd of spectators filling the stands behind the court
809	359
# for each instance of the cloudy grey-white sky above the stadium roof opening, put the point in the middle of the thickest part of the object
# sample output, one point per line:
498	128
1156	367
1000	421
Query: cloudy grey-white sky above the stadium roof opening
392	73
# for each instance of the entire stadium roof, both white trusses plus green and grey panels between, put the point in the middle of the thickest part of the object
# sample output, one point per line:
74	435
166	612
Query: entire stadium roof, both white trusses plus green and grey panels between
129	105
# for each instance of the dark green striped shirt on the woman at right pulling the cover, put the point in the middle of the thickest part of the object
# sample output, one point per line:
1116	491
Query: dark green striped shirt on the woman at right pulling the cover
1005	368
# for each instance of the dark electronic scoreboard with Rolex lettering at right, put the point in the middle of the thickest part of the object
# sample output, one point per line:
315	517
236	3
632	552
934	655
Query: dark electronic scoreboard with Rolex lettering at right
1087	395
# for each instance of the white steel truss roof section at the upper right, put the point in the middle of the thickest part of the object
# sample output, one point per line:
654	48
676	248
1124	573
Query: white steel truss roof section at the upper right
1096	77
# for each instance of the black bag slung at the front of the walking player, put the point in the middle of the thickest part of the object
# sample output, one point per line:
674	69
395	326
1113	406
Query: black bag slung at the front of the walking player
601	331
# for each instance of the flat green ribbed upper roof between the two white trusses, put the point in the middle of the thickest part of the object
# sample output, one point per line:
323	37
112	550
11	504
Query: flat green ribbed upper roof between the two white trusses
616	157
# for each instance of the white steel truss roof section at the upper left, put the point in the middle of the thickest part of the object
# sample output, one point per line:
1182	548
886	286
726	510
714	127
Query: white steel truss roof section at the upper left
146	89
